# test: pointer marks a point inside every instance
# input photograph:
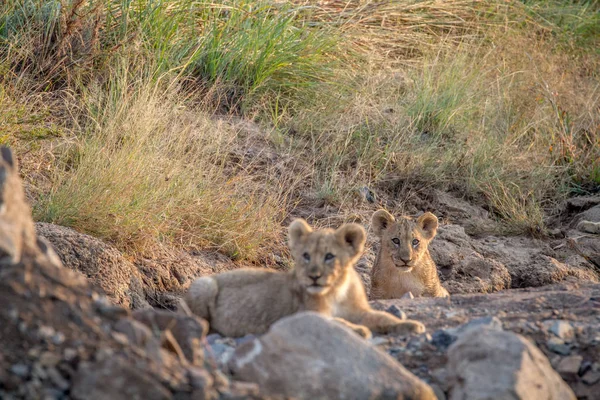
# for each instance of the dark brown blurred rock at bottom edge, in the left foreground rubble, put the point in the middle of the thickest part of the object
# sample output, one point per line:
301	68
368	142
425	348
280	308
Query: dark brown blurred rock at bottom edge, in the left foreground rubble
113	378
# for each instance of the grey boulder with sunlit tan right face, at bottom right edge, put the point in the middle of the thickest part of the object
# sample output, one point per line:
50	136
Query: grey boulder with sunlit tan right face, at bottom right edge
492	364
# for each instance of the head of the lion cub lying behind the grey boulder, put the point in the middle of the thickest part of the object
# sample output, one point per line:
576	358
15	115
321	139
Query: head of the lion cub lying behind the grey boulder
323	257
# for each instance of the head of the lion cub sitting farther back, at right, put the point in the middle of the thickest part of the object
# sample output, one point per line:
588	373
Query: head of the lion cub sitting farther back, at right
404	240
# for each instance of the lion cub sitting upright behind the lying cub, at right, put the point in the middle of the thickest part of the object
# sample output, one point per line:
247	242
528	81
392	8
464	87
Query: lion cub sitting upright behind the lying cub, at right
403	263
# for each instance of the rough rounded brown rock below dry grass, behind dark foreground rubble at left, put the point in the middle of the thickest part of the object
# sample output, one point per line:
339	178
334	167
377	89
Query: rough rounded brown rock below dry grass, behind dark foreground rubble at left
101	263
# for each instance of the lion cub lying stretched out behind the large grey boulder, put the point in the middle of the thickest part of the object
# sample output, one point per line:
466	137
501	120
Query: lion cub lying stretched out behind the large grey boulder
244	301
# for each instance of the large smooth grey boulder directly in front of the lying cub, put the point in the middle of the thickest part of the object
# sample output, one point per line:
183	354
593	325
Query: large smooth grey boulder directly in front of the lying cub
307	356
